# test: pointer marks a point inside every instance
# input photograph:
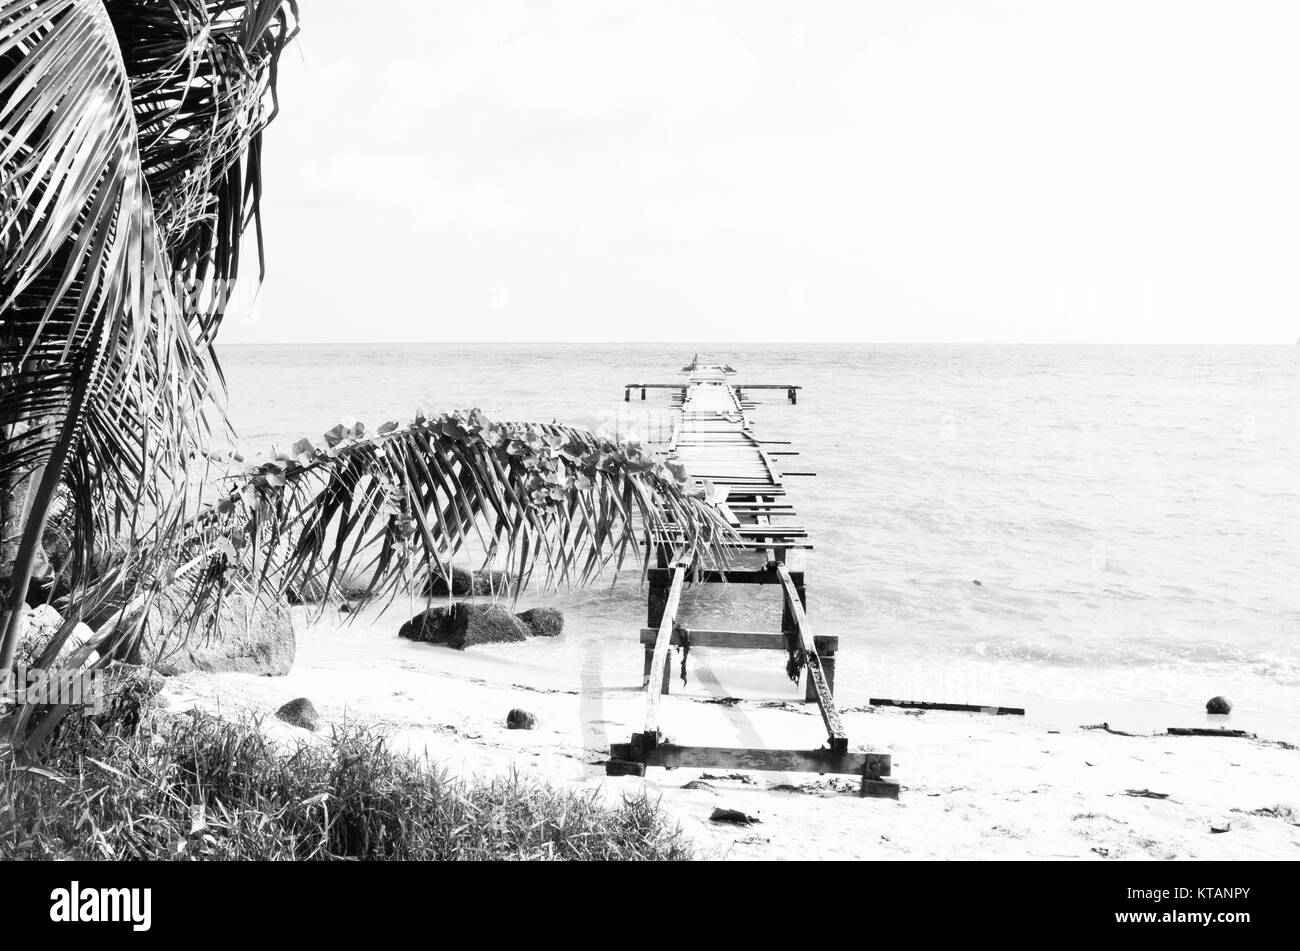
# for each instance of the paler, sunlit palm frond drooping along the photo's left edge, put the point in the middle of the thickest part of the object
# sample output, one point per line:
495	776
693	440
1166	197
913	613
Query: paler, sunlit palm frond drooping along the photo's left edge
79	277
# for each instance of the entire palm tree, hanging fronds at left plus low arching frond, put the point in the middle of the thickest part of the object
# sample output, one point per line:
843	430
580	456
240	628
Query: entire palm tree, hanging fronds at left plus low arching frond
131	168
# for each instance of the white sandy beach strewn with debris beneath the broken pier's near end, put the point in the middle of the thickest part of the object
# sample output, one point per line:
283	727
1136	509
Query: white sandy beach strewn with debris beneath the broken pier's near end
974	787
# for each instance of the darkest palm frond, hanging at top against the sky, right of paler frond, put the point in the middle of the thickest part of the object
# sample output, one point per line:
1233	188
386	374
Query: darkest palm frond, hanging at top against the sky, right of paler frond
203	81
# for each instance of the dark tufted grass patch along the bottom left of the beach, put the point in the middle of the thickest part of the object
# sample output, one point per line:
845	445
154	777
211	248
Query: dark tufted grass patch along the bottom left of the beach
132	785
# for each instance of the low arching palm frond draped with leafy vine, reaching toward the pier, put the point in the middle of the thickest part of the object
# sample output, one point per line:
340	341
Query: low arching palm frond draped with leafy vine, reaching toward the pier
389	511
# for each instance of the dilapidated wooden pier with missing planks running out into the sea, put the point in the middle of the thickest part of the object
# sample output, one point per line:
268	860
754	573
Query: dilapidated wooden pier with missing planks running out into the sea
713	440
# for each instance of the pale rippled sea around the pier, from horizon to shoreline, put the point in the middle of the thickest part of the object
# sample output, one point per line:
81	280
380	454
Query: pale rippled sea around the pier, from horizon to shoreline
1003	526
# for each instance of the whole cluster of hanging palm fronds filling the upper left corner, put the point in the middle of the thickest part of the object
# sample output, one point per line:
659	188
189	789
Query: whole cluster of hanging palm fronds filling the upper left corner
103	363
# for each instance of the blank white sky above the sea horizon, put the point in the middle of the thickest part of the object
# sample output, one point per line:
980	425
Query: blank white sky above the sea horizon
1108	172
